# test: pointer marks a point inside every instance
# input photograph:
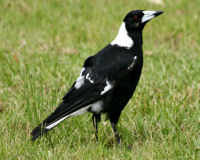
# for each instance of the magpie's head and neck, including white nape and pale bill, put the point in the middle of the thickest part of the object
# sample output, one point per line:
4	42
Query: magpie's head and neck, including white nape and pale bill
130	32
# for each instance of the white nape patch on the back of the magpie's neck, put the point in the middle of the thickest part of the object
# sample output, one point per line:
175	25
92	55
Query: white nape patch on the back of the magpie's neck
122	39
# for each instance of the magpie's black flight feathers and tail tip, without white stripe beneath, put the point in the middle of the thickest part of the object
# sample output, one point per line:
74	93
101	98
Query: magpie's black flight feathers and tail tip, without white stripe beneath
74	101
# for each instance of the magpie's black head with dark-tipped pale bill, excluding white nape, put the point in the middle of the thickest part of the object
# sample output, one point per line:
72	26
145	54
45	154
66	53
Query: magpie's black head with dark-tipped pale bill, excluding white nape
136	20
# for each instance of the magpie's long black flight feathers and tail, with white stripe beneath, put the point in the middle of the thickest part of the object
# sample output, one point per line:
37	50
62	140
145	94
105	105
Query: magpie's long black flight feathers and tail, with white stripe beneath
74	104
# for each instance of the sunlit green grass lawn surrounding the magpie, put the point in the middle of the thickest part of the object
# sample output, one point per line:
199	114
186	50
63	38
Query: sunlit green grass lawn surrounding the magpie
42	48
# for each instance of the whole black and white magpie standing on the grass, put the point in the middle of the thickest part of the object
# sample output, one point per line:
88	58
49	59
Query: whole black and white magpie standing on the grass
108	79
